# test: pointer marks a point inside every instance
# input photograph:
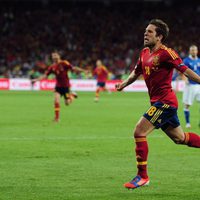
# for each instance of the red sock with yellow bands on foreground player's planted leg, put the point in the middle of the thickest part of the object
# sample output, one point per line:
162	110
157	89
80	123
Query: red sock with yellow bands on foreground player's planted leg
141	155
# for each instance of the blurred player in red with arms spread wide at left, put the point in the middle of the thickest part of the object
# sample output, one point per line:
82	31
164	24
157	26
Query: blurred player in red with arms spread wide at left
60	68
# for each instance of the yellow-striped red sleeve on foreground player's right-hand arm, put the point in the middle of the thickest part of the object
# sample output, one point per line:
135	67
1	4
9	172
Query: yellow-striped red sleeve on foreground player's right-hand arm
175	61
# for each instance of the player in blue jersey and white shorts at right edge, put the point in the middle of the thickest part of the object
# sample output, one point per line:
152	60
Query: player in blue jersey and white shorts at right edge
192	89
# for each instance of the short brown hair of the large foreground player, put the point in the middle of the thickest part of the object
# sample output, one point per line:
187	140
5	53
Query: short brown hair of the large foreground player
161	28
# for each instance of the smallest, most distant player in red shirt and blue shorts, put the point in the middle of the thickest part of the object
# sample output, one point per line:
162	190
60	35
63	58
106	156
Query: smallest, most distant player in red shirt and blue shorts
101	74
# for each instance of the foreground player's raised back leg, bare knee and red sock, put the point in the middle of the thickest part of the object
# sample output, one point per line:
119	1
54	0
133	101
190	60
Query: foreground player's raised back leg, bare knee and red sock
179	137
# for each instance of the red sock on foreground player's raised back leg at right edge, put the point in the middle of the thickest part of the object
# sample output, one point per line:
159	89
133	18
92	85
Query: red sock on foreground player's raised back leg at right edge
192	140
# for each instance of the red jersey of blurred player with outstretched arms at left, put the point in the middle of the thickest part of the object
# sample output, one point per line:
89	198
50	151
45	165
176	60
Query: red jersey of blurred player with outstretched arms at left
61	72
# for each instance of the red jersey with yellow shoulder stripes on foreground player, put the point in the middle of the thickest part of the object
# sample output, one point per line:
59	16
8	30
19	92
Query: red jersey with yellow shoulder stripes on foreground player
157	69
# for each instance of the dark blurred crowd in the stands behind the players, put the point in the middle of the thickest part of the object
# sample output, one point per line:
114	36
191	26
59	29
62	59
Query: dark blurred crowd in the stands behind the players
85	32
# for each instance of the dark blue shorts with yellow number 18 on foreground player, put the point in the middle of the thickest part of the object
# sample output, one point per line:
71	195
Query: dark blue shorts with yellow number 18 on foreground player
162	116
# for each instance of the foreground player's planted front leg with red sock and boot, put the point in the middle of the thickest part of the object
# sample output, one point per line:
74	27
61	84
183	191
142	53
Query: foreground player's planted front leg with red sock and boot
142	129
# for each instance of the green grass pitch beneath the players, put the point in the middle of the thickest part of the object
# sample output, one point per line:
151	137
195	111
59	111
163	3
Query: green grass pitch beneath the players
89	154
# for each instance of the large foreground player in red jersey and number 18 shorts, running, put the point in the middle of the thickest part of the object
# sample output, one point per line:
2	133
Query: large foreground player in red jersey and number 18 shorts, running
156	63
